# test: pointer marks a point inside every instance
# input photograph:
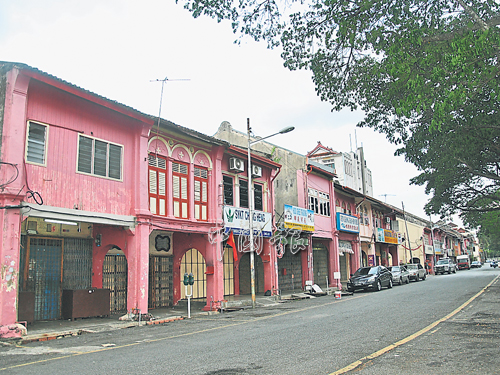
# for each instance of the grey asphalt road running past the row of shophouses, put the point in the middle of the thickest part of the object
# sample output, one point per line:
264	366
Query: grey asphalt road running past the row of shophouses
445	324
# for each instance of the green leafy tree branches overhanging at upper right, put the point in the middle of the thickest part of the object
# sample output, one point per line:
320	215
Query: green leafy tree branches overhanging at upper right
425	73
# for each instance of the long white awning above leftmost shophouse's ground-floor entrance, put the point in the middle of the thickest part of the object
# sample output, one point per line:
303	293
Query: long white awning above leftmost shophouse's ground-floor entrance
66	214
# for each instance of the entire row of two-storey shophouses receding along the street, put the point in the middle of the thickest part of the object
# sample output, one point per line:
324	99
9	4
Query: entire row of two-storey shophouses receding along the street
97	195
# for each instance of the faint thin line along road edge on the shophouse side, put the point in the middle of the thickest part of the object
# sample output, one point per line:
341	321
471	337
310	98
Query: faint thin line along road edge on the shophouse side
239	323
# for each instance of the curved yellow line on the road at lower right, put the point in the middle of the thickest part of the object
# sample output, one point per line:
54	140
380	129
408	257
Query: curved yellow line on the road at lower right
388	348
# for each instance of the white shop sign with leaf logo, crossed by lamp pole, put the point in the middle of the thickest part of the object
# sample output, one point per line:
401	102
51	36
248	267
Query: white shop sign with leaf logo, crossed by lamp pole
238	220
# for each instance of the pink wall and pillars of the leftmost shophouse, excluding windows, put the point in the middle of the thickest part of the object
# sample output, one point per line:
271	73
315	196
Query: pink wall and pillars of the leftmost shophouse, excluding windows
58	182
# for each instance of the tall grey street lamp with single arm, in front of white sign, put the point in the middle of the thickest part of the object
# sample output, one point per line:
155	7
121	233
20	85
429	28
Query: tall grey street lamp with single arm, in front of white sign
251	203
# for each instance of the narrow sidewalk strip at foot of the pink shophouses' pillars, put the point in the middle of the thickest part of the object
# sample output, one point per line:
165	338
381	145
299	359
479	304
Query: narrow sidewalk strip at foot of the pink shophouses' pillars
56	329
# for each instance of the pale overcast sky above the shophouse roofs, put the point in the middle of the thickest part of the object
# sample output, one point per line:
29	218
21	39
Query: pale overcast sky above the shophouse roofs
116	48
